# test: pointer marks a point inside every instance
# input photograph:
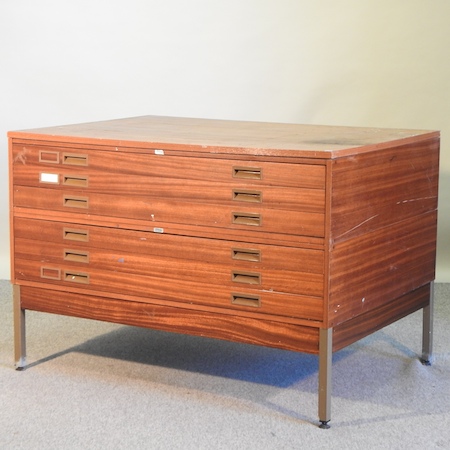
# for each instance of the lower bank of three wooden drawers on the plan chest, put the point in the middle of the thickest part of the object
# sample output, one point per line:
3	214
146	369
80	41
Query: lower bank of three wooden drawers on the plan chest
259	278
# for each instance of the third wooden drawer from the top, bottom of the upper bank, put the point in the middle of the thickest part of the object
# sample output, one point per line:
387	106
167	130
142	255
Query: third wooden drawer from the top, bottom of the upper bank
159	211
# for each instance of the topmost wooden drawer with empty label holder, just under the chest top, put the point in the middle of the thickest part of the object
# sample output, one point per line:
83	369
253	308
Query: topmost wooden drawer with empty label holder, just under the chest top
150	164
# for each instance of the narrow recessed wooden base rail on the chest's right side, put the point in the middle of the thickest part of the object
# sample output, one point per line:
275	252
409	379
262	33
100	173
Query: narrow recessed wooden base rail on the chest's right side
366	324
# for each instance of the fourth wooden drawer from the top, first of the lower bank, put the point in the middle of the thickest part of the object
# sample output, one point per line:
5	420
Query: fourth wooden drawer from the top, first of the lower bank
246	255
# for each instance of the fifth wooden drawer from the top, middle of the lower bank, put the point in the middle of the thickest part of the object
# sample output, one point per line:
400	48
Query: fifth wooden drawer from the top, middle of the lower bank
228	275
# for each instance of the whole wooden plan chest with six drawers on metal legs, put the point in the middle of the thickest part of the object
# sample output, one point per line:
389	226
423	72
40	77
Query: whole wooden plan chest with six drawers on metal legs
298	237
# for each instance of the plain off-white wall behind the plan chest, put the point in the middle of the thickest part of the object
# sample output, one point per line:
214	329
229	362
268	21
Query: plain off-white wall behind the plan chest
381	63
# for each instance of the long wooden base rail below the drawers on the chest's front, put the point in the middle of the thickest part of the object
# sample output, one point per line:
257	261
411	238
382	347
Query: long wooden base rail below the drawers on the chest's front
193	322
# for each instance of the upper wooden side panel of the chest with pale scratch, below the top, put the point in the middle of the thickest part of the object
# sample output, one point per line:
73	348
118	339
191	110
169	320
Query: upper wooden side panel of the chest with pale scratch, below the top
376	189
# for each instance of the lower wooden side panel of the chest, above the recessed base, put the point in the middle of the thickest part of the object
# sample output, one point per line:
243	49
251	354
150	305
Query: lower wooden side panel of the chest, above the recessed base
372	269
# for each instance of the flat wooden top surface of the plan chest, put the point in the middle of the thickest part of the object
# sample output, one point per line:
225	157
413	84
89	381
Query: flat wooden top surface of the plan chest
227	136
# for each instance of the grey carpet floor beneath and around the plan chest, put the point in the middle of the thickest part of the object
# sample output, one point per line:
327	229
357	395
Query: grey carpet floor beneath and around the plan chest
94	385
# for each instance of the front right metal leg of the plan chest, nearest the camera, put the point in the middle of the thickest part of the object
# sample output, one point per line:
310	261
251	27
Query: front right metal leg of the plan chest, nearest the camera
325	361
